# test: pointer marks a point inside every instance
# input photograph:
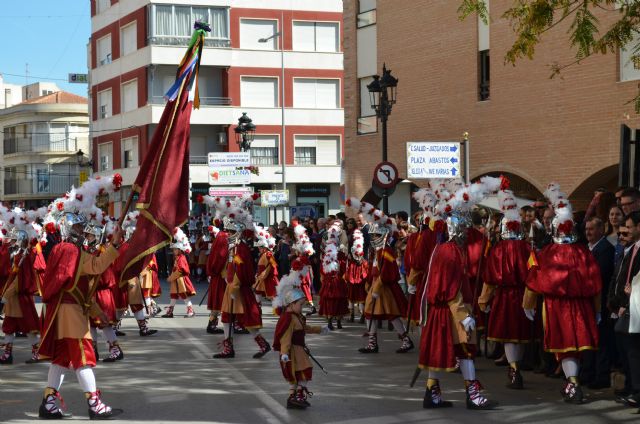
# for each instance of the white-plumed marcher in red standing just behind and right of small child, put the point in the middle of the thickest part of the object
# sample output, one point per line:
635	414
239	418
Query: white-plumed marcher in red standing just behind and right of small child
333	294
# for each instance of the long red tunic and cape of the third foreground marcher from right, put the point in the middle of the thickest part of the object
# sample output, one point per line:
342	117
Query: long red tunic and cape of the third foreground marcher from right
446	280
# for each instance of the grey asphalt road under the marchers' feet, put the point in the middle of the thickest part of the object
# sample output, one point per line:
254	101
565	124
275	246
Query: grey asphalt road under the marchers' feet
171	377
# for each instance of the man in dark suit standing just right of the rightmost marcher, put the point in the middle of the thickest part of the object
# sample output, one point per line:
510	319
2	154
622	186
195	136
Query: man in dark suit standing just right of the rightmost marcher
597	364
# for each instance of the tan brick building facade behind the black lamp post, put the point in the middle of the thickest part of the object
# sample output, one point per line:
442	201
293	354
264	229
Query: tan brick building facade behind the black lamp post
564	129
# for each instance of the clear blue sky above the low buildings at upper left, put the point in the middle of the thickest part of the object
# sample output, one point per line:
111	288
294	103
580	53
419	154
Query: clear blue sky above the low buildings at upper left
50	36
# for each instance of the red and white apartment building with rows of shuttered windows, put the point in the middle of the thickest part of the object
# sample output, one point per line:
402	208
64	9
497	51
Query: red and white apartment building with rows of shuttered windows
134	51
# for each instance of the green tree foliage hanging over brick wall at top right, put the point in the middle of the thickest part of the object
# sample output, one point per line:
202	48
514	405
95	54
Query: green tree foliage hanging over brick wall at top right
531	19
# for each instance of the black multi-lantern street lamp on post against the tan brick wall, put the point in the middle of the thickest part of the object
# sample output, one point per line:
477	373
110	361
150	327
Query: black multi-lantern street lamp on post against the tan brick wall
382	91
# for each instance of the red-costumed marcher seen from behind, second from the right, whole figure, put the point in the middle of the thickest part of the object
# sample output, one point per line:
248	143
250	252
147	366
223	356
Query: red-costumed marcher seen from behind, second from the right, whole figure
505	272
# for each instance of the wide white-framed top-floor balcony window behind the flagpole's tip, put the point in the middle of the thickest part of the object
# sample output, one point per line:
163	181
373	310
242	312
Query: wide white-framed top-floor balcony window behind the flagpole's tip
173	25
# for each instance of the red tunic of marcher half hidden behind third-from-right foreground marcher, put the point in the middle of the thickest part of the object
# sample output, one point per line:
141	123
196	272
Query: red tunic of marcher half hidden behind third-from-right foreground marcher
416	262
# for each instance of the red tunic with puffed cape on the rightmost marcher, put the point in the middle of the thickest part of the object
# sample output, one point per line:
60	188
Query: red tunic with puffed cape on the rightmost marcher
568	277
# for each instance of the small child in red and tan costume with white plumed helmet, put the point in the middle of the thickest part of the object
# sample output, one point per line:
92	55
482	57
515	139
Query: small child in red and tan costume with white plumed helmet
289	339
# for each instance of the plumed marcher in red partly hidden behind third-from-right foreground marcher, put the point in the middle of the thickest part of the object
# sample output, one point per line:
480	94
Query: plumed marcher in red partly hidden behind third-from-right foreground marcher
418	254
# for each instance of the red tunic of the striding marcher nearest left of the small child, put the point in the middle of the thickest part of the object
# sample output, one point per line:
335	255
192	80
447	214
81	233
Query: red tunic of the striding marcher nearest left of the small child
242	267
